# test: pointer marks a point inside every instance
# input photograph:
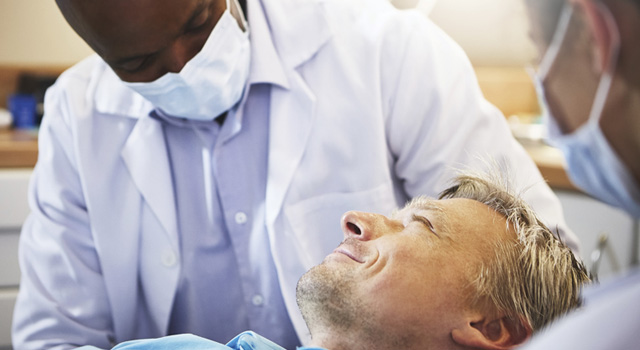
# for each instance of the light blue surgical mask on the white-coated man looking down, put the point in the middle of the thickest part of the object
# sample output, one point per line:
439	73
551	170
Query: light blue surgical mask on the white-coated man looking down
212	82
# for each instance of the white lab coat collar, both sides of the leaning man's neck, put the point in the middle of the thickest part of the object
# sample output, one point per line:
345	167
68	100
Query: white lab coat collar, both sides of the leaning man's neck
284	35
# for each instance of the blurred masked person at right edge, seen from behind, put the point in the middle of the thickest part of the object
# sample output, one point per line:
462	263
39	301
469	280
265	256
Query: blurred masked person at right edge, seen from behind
589	83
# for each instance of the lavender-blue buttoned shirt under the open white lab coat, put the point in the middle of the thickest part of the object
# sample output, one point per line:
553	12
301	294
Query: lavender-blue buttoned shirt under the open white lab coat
228	280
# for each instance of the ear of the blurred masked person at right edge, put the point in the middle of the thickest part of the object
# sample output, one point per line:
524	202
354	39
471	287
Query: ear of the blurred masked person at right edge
603	28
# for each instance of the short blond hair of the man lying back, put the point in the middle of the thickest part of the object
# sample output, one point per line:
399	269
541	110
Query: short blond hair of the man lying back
533	279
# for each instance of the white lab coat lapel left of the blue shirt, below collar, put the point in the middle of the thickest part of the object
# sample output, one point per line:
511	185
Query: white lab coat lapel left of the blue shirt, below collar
145	155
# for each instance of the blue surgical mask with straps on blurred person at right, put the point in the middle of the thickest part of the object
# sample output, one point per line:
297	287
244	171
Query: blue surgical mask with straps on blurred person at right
592	164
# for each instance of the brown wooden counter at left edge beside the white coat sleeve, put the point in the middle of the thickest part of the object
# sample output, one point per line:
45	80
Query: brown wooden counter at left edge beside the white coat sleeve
18	149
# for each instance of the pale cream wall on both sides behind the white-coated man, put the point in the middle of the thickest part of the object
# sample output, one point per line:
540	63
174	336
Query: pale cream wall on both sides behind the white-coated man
493	32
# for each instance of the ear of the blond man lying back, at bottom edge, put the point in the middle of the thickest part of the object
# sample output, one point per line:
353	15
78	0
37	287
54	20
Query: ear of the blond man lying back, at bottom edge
493	333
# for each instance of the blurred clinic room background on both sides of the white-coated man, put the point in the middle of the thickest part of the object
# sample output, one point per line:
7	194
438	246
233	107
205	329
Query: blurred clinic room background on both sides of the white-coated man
36	44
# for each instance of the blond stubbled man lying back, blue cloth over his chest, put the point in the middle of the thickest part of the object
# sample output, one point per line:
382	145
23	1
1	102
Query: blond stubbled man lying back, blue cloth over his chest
474	269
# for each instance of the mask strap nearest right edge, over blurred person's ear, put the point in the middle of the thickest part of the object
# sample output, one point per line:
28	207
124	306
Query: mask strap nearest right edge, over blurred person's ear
604	86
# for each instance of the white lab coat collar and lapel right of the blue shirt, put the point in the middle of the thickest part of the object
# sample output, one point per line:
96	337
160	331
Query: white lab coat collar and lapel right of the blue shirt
298	29
